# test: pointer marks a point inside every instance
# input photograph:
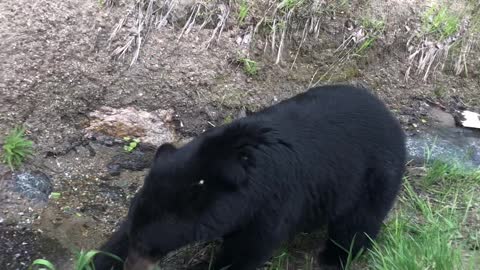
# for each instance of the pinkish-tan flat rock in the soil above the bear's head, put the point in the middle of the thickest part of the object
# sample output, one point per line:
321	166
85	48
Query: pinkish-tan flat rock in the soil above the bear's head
155	127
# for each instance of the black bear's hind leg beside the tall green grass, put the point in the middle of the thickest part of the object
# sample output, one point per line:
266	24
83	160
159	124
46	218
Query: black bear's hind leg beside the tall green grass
353	227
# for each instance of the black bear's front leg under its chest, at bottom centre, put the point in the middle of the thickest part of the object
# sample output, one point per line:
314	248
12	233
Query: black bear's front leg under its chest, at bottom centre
246	250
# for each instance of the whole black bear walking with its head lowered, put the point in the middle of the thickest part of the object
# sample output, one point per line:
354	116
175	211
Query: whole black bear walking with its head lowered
332	156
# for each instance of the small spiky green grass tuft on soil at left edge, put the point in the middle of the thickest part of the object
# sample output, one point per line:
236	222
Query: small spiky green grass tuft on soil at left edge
16	148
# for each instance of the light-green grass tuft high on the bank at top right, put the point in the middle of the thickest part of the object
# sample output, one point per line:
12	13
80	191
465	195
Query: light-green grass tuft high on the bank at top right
440	22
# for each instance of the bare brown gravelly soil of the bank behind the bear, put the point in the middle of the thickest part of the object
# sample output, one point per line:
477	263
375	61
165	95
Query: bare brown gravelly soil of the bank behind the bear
56	68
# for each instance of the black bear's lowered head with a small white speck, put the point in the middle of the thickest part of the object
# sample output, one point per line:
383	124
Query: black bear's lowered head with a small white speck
181	187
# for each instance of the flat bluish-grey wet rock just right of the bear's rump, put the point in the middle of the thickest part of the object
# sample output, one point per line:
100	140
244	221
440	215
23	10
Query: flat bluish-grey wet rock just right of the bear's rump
446	144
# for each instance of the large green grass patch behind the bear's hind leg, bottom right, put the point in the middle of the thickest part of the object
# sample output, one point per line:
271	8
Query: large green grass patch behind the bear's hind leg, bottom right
430	229
